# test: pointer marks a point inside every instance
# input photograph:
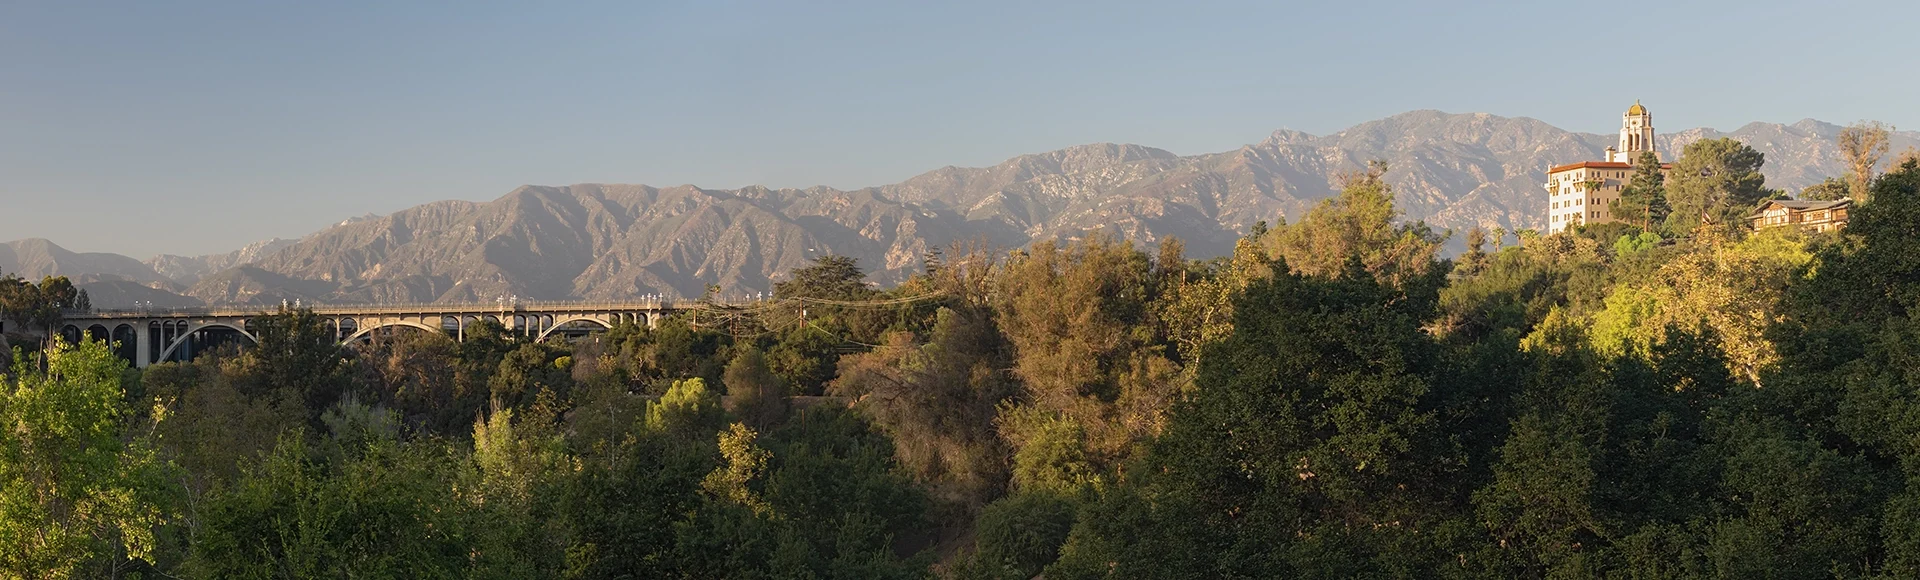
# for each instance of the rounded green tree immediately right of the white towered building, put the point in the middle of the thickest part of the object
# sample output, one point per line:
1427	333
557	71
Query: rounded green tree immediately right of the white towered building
1716	181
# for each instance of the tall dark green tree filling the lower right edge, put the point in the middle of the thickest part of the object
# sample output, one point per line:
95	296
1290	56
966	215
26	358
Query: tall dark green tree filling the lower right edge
1844	402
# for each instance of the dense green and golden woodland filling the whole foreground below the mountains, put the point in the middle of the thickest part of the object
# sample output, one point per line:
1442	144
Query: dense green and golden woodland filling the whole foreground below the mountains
1662	399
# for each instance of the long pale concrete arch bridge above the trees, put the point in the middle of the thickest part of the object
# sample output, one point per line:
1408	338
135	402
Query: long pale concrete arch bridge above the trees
149	337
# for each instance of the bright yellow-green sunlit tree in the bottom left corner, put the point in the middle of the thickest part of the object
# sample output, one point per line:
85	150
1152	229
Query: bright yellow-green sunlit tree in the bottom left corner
80	495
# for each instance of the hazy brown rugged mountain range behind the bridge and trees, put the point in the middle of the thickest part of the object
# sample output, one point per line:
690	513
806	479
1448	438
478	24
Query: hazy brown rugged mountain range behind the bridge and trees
621	241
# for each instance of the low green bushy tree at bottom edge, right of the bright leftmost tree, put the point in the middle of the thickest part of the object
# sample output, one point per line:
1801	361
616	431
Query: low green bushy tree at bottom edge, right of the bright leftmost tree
383	512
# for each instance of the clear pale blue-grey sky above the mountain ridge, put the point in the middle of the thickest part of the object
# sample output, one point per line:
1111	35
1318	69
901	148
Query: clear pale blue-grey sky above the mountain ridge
197	128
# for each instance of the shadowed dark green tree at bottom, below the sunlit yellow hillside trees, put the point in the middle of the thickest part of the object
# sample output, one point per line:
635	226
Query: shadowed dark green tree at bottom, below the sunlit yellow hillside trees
1602	456
